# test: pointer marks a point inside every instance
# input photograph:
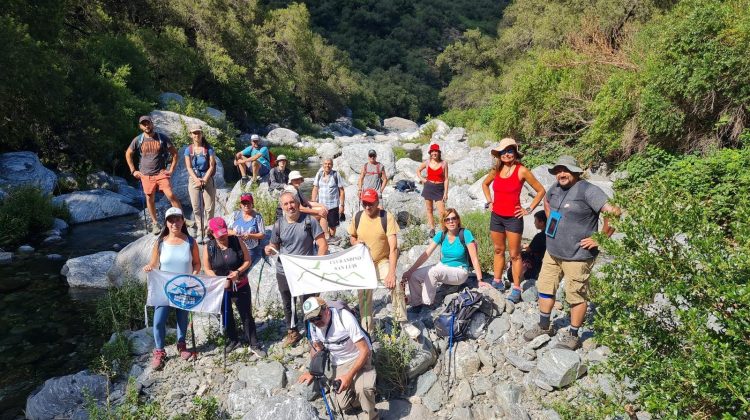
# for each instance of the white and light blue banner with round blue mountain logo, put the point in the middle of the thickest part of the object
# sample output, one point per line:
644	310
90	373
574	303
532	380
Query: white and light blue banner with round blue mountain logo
185	291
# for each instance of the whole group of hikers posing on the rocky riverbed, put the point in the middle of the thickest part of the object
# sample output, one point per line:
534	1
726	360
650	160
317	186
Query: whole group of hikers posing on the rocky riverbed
564	247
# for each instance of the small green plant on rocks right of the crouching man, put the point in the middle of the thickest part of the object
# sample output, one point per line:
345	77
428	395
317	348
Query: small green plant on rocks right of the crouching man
392	360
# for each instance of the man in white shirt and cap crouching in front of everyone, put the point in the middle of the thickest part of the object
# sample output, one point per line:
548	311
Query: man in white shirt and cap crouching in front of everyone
350	353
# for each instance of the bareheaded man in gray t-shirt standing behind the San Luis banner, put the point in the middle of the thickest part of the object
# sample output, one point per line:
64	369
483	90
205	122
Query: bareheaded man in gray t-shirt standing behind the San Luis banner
295	233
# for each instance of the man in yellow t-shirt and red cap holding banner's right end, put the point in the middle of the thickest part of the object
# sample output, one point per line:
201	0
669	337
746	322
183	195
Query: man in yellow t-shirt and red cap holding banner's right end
377	229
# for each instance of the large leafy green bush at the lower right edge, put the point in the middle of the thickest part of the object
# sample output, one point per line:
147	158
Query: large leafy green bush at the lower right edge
685	245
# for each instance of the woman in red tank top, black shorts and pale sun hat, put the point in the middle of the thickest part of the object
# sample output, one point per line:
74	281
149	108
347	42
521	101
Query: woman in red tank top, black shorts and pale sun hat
506	221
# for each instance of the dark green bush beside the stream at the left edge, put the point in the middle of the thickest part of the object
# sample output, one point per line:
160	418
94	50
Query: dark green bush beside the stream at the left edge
26	212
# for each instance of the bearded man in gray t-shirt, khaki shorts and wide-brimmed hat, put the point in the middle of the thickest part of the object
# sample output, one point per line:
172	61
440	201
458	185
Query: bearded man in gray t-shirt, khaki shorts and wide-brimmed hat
573	207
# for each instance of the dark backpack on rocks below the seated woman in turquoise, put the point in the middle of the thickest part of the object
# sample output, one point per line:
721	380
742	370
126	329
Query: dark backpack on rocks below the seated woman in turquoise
455	320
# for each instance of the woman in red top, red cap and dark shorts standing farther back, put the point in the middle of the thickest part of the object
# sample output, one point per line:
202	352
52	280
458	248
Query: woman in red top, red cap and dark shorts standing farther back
435	185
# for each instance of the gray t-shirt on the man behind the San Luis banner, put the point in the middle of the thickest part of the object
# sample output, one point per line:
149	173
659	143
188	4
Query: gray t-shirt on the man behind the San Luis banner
295	238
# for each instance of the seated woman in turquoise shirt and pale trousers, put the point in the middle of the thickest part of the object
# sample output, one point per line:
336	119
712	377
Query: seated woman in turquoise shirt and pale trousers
453	267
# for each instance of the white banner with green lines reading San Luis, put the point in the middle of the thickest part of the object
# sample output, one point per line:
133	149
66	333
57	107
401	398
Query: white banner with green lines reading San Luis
345	270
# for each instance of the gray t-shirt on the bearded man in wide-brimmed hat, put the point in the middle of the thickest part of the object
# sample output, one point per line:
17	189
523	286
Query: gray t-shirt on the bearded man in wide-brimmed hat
580	206
